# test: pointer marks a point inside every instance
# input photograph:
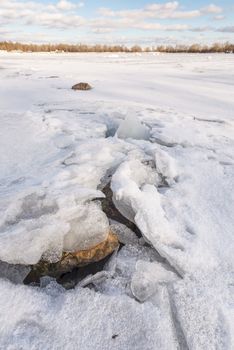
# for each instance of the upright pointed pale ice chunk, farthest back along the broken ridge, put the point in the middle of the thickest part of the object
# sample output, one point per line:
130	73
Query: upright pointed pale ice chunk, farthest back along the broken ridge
132	128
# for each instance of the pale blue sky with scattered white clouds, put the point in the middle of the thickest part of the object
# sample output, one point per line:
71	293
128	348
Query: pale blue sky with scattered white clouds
125	22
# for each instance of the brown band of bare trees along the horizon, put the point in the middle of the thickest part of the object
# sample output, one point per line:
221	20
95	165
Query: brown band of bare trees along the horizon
194	48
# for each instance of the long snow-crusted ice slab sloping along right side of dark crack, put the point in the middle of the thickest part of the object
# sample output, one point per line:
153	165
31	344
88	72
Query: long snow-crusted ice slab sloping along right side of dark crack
141	202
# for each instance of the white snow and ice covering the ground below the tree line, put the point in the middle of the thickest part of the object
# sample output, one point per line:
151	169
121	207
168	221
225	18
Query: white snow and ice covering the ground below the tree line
162	128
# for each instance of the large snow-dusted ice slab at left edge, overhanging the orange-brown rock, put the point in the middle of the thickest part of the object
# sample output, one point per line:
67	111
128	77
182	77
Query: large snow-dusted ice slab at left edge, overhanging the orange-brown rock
47	227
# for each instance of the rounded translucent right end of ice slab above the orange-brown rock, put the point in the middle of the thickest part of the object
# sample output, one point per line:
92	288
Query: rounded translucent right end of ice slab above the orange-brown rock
89	228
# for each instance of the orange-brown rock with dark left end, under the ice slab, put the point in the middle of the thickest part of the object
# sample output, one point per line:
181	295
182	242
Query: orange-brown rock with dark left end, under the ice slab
71	260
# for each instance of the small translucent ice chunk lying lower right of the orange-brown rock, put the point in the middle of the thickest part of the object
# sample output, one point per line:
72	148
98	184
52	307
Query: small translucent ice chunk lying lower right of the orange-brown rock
147	277
